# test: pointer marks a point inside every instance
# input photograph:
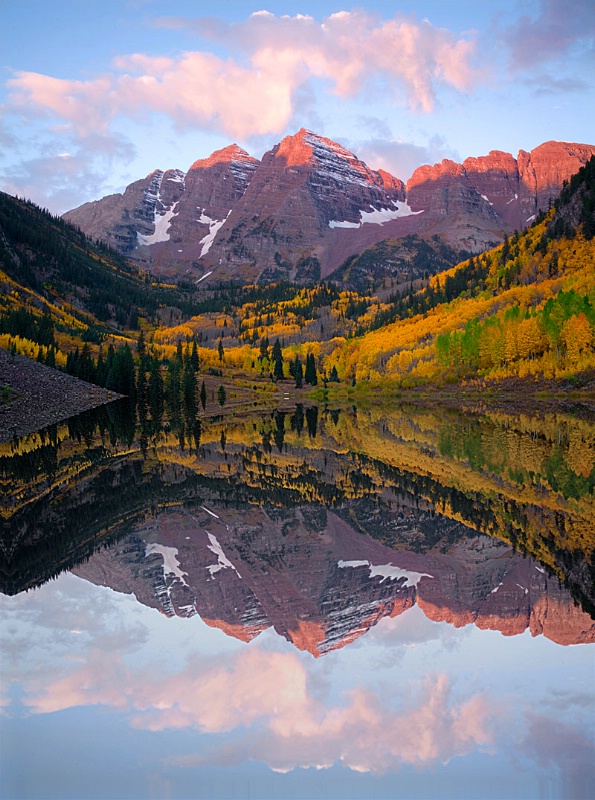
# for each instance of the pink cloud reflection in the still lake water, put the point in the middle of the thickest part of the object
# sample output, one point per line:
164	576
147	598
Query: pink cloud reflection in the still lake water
286	725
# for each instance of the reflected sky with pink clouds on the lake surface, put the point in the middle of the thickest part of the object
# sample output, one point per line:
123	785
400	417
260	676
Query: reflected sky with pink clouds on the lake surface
413	708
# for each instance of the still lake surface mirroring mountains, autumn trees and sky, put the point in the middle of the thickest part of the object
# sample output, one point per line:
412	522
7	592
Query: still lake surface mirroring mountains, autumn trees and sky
301	602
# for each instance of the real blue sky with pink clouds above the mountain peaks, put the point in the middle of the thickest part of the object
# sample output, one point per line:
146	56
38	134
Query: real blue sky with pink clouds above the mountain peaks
95	94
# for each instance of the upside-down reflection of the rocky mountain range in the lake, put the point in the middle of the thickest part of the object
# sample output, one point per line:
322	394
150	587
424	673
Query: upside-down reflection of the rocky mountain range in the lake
308	574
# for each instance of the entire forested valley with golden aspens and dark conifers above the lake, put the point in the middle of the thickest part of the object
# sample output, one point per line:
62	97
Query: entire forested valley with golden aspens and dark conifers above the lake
525	310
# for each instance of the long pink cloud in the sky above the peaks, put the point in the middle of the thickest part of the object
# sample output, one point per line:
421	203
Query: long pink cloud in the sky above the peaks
258	95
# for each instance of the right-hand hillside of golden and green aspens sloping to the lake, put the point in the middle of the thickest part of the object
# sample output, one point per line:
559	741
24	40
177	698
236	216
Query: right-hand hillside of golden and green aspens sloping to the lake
525	309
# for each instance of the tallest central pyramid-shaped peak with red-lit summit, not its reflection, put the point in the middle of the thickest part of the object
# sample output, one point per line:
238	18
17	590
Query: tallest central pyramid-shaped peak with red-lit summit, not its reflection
306	193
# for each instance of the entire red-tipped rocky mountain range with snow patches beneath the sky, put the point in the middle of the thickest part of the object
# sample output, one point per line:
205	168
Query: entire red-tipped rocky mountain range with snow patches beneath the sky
310	204
